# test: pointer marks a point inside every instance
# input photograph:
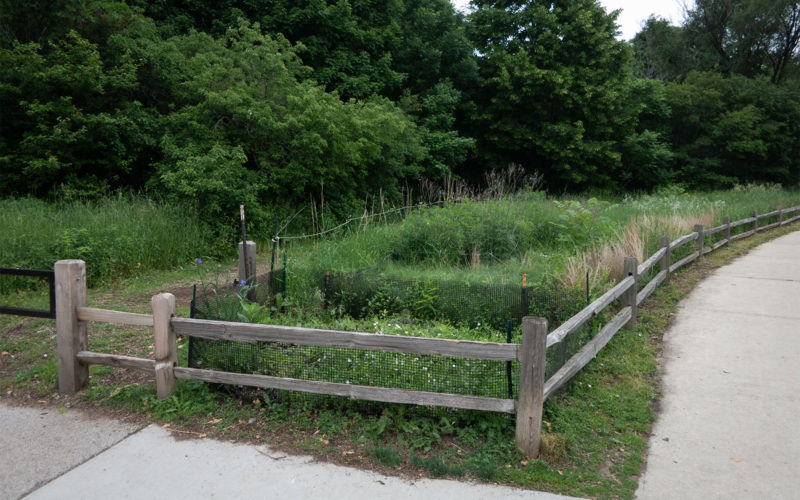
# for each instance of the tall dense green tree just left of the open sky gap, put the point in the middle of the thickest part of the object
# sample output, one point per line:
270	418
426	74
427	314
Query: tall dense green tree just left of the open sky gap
552	91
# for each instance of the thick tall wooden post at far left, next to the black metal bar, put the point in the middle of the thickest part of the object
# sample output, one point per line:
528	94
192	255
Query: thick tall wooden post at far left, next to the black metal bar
71	337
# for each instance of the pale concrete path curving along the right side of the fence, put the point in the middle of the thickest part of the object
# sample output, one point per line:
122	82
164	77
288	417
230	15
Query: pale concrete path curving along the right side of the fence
729	425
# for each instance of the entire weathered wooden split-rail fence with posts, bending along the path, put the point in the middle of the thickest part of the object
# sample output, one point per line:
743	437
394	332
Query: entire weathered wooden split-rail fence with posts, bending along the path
74	356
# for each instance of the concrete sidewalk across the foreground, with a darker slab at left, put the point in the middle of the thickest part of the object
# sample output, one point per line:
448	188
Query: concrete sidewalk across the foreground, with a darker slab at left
45	454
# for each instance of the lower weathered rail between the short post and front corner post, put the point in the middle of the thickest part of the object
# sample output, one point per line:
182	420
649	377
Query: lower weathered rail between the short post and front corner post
382	394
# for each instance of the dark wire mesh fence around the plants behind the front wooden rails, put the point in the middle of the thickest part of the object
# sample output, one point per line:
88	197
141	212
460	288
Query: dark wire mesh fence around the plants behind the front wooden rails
367	293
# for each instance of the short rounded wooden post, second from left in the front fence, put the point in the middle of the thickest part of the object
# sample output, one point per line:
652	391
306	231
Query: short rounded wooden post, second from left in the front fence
165	349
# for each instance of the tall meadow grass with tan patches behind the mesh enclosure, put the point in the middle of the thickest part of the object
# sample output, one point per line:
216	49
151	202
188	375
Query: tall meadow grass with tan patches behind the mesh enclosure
495	241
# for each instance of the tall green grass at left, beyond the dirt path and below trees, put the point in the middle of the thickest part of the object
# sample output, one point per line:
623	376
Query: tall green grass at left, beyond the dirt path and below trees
117	236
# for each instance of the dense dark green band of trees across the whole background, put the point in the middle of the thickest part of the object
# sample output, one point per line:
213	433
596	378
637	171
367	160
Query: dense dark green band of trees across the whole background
275	104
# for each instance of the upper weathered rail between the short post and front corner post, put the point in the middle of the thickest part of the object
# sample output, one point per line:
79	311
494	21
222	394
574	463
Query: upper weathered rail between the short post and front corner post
248	332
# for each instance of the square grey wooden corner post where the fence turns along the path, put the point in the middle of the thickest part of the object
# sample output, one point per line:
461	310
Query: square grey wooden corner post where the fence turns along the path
531	385
